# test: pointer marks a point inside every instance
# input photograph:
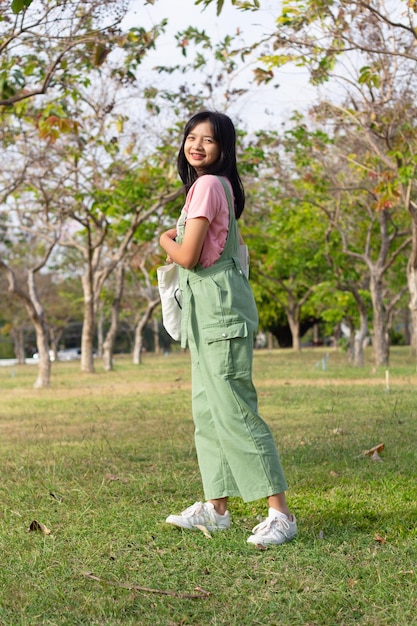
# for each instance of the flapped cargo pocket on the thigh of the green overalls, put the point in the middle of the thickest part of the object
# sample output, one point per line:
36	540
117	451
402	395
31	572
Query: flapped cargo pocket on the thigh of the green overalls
226	349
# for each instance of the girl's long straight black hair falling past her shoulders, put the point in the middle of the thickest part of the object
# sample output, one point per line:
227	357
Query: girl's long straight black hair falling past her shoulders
226	165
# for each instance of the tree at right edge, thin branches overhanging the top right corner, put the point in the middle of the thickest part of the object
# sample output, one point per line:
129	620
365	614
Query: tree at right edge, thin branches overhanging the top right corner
367	50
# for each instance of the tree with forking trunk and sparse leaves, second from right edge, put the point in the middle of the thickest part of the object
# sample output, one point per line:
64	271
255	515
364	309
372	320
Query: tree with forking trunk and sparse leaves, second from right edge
371	240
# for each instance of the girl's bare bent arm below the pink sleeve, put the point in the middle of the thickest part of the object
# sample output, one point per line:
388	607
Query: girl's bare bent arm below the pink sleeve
187	254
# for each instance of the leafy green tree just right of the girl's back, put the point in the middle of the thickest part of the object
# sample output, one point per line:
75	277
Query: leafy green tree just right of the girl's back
286	234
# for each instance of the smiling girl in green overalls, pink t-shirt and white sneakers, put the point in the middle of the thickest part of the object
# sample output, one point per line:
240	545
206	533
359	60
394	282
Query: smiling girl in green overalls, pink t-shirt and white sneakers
235	449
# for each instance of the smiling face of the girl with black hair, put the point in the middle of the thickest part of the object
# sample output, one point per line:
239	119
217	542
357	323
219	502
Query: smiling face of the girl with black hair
200	148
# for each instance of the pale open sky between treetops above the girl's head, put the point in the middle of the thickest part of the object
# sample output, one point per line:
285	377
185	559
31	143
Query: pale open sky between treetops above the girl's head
264	106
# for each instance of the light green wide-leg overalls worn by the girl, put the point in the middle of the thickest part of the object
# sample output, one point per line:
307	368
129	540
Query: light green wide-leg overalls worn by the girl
236	452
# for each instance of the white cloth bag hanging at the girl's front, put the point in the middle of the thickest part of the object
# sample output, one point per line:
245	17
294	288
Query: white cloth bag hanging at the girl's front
168	285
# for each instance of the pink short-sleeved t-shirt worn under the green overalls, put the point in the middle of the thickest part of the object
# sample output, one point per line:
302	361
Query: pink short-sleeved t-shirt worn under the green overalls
207	198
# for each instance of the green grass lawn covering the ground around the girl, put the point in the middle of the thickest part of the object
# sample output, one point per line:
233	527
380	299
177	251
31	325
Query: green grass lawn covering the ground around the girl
102	459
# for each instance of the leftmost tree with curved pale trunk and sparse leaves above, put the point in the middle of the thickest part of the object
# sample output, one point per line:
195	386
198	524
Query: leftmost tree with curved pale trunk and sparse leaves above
62	44
